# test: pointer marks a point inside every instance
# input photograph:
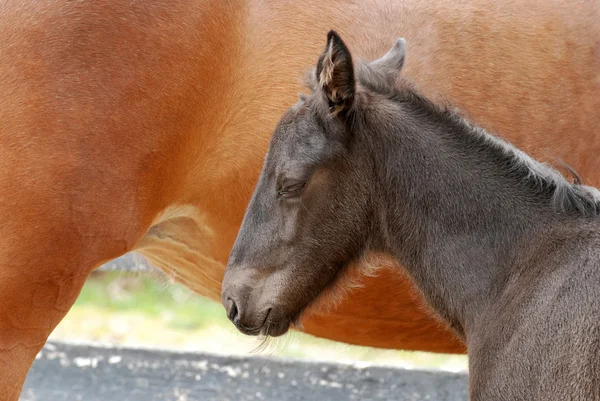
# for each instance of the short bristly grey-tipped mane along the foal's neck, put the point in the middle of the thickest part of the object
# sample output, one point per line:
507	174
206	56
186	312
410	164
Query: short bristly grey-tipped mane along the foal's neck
539	177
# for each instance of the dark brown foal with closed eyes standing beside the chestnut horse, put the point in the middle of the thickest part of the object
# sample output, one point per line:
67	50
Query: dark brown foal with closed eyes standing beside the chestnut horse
503	247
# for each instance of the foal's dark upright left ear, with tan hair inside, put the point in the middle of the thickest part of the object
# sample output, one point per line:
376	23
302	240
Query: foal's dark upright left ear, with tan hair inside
335	74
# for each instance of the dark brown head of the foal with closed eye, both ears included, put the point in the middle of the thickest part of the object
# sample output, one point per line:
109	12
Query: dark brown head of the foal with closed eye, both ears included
310	214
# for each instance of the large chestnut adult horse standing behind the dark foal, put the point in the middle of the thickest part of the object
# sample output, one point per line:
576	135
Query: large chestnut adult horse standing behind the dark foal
125	126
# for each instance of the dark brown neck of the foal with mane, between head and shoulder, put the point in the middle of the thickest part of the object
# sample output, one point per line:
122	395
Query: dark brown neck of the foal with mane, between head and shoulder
460	208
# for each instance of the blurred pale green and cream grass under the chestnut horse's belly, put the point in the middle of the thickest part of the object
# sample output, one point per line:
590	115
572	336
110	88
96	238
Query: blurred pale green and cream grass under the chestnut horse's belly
140	307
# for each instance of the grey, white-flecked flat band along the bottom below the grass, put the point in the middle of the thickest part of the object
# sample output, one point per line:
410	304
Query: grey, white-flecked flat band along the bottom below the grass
68	372
